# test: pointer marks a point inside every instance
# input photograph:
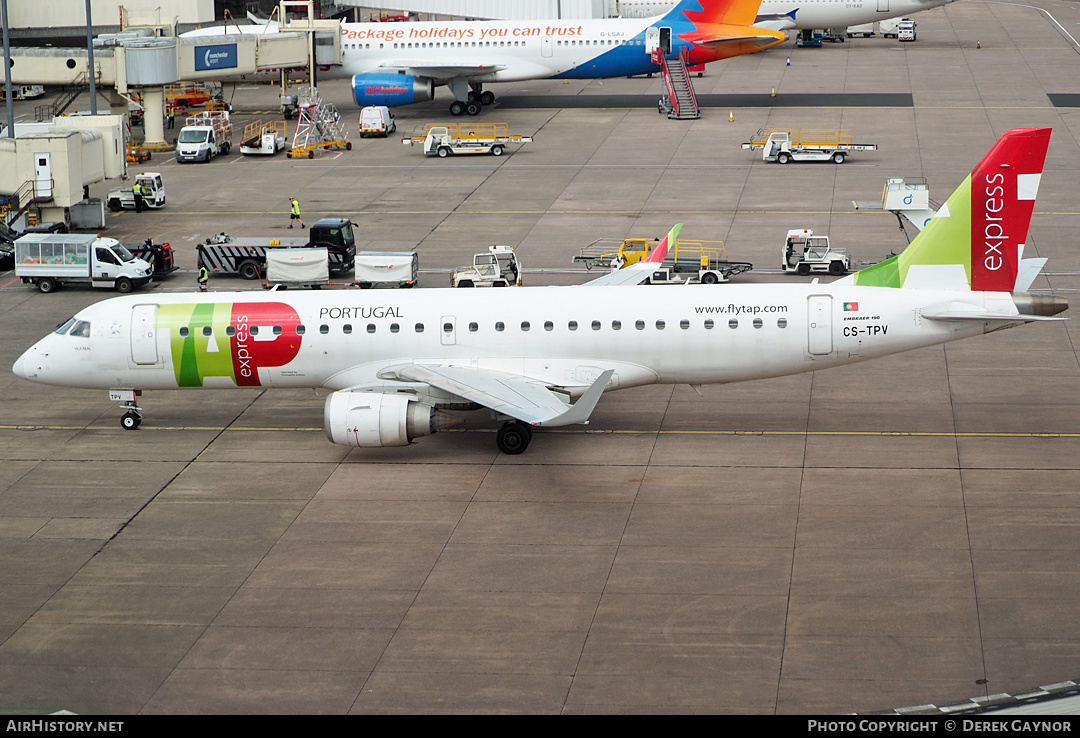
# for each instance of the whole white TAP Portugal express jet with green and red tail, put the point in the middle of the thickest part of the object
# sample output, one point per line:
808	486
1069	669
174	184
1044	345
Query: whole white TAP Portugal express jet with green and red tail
403	365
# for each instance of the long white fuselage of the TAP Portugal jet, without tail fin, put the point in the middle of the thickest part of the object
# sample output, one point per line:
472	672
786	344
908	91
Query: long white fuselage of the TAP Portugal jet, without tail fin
559	337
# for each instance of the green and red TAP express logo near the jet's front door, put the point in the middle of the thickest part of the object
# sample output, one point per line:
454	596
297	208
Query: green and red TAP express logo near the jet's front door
233	341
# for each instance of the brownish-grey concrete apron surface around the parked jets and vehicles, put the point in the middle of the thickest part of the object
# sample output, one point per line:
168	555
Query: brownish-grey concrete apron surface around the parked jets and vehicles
899	533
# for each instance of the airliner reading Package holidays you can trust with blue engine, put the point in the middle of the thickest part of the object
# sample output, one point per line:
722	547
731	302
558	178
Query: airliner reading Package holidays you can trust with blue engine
402	63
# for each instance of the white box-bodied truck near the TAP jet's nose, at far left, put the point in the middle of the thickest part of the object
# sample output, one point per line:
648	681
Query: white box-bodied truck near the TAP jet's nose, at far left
48	261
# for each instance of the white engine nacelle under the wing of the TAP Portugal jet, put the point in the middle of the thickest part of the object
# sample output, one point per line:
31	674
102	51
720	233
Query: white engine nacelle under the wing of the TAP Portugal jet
376	420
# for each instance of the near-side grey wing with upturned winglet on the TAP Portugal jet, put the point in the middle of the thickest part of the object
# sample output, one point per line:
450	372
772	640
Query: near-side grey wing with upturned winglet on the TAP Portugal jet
509	395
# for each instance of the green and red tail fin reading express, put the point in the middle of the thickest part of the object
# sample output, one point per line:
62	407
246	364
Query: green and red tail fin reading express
977	239
